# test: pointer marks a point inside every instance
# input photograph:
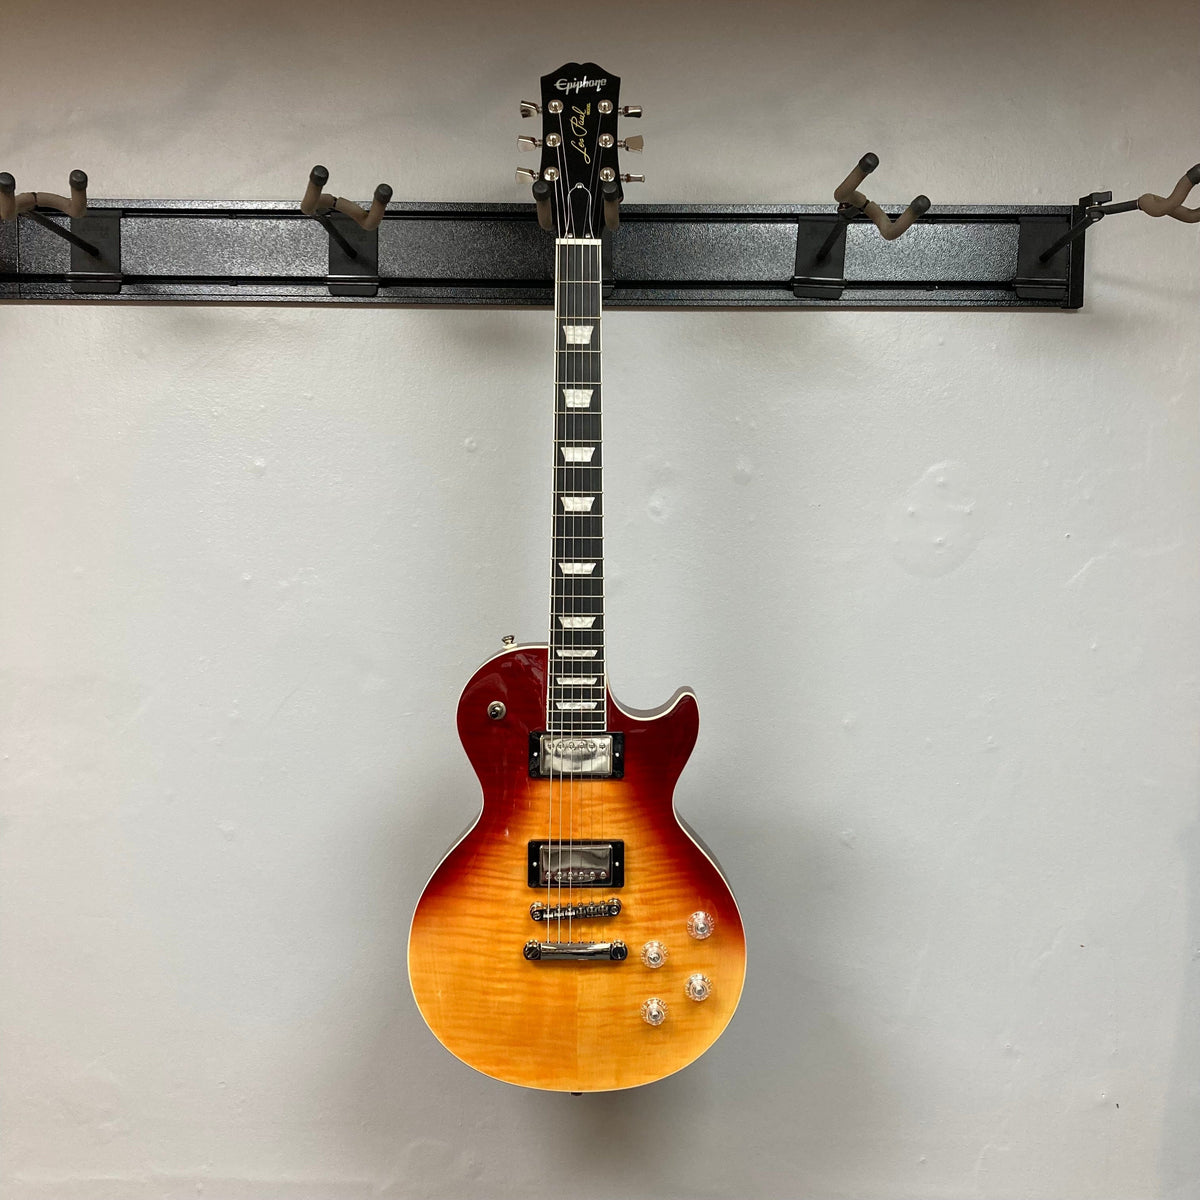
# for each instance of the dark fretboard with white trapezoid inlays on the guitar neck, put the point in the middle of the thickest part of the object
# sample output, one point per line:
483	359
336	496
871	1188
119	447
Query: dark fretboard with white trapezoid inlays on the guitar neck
575	700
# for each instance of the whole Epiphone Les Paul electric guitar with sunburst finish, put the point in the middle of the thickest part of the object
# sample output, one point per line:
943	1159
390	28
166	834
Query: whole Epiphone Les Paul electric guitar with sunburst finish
578	938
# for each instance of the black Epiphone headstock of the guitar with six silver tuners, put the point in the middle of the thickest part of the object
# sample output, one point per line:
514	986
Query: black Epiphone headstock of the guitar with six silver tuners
578	188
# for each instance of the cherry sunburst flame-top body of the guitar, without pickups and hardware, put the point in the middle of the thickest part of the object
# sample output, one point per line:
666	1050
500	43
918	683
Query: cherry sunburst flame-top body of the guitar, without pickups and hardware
573	1027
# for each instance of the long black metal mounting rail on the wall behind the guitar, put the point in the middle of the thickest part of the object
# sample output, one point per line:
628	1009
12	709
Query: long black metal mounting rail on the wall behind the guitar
711	256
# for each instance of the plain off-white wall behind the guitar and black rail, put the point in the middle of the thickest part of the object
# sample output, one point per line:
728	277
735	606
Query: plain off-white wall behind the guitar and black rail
251	555
